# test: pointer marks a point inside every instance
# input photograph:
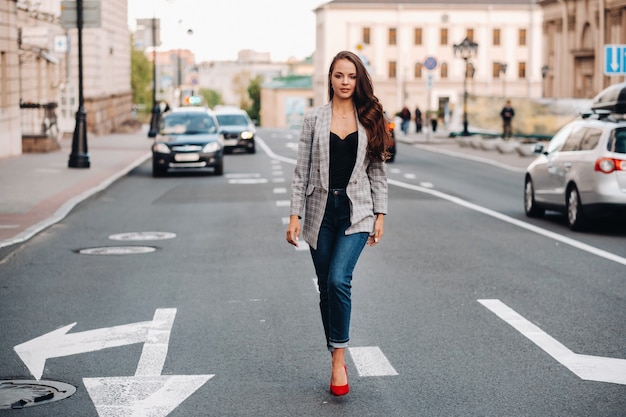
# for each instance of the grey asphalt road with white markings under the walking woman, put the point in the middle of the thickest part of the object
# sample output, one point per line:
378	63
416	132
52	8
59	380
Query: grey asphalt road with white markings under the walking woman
462	310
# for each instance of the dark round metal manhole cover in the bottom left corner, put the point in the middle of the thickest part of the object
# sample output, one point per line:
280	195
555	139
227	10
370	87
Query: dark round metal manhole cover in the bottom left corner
16	394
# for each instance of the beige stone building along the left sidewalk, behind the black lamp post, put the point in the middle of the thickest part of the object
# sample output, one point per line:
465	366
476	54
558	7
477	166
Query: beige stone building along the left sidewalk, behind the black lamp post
39	74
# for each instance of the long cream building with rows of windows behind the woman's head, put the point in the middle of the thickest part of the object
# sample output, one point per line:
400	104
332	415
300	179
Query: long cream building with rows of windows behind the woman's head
395	39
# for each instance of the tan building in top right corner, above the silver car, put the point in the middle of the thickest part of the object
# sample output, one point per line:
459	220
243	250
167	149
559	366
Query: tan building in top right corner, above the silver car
574	33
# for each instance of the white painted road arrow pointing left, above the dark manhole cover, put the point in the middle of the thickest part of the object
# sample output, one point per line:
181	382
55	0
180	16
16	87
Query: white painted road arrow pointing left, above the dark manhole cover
57	343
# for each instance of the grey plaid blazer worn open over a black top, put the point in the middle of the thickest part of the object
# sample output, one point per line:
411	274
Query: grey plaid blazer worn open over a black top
367	187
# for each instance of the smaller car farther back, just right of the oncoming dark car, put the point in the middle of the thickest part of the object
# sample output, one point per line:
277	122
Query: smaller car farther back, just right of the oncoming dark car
239	131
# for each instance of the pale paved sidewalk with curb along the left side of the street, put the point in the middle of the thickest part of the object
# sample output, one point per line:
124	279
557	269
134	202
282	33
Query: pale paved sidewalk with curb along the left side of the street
38	189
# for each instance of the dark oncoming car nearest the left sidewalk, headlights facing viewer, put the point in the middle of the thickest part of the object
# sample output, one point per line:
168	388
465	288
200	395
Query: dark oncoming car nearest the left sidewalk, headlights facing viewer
188	138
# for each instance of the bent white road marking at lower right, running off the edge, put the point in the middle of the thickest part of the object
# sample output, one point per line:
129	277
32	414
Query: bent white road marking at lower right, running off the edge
590	368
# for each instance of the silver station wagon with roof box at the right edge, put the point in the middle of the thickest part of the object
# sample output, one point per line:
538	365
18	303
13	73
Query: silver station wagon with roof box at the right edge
581	171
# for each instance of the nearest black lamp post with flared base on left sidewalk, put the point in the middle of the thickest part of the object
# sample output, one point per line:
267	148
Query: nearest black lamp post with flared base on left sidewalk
79	158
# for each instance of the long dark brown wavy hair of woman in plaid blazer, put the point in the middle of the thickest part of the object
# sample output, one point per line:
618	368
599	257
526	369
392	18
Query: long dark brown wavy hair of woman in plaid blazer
368	107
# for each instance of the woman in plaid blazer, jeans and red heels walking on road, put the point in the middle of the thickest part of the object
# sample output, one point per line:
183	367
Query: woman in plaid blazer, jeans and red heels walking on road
339	186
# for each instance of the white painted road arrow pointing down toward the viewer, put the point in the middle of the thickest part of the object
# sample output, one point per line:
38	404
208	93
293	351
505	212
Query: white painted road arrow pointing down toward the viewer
148	393
